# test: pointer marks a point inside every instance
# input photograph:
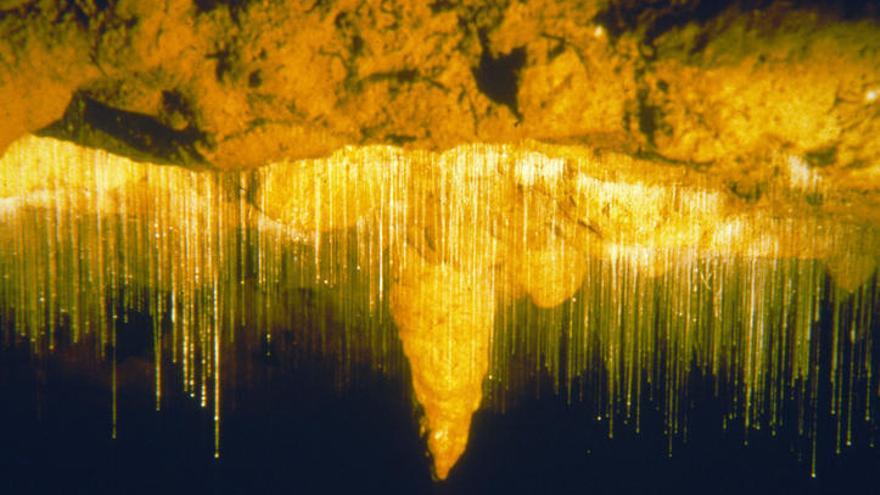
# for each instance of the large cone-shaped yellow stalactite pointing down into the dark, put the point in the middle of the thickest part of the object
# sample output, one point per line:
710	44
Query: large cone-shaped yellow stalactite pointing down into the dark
445	317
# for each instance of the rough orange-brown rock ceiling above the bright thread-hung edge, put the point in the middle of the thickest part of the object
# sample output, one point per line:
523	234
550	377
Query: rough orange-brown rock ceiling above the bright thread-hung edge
239	84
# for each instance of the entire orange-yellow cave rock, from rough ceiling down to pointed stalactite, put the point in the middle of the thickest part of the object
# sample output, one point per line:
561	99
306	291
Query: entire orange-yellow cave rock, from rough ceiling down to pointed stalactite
536	135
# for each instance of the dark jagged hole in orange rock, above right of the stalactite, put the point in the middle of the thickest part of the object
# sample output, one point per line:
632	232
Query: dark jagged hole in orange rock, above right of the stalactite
498	77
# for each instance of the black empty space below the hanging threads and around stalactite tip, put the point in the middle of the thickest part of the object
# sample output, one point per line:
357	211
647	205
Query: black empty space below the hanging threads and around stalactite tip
295	431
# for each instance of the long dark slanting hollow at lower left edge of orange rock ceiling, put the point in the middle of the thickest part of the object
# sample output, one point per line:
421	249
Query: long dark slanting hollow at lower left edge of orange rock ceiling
135	135
